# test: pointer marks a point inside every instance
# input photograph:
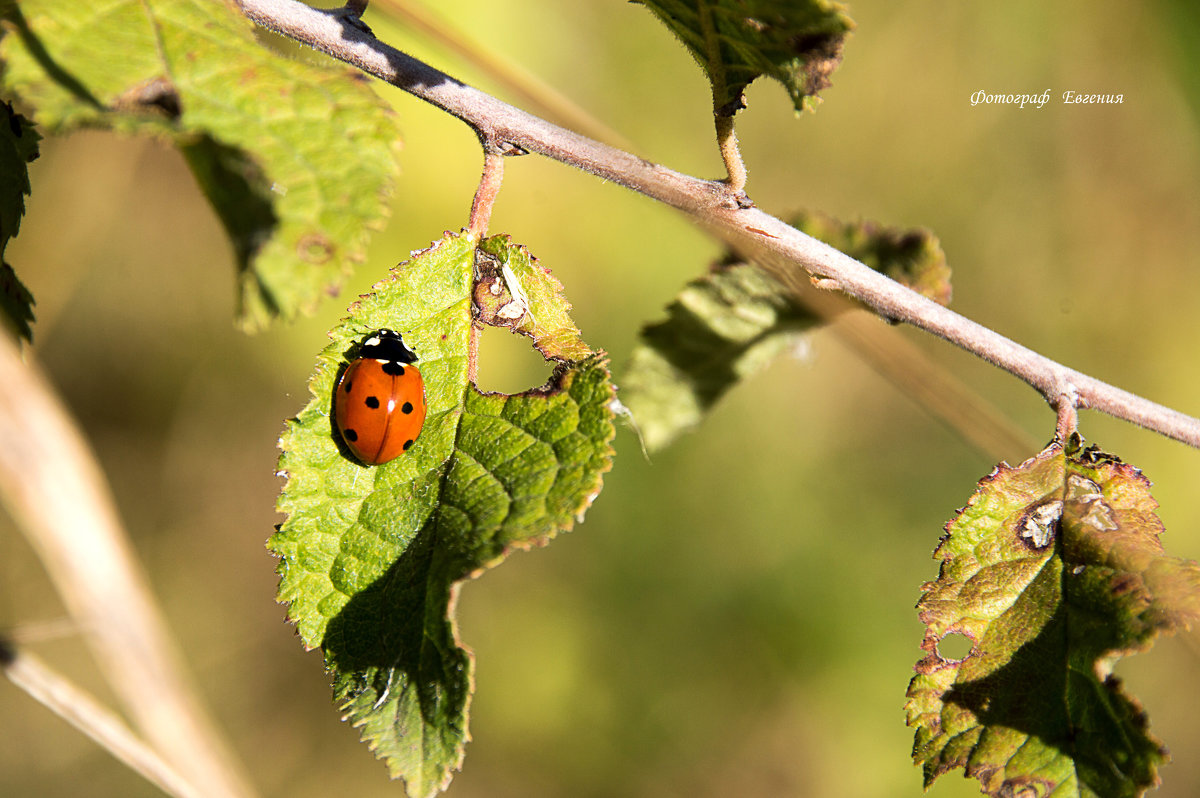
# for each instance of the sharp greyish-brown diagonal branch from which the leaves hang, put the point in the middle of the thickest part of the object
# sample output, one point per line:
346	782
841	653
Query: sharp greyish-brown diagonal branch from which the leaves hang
789	255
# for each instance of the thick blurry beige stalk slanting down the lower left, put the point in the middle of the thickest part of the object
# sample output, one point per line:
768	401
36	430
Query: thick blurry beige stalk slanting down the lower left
56	493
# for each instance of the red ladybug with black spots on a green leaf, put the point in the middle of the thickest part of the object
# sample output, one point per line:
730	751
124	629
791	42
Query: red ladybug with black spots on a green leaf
380	401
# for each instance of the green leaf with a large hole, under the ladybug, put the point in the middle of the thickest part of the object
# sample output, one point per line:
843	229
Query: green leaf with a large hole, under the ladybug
373	557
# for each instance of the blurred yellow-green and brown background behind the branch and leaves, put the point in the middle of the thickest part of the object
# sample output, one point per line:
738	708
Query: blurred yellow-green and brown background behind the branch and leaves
735	617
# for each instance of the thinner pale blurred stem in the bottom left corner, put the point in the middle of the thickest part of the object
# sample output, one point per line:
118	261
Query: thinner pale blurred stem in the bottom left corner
82	711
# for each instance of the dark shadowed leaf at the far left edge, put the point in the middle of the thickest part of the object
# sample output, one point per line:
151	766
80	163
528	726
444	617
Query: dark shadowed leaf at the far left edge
19	148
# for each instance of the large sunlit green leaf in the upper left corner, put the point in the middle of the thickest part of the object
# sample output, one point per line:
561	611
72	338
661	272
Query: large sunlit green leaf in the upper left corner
297	159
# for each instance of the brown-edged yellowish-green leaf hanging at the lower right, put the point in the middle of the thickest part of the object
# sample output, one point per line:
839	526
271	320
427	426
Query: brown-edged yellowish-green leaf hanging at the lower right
1052	573
